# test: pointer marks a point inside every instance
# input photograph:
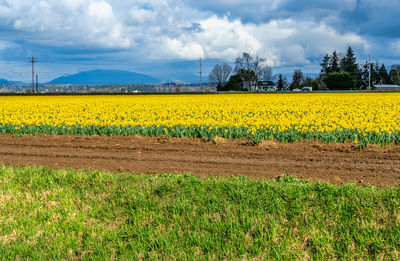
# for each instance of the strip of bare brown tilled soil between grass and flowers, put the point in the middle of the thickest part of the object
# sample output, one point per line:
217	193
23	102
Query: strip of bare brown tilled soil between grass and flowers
336	163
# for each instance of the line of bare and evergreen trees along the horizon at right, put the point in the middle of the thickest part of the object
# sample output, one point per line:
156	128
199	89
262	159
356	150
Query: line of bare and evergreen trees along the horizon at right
338	72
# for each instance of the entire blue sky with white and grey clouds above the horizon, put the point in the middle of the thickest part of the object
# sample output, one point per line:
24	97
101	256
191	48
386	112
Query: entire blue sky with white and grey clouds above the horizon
166	38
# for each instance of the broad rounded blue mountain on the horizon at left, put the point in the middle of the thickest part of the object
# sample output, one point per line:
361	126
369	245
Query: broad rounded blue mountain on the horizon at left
100	77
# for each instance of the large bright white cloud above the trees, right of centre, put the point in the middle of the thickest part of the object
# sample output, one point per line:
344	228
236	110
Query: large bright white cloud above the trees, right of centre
282	42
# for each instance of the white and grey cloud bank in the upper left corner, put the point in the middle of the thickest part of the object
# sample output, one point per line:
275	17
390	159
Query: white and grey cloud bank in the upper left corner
84	23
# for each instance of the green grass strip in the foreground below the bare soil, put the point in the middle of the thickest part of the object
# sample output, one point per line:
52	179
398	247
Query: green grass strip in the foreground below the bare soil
47	214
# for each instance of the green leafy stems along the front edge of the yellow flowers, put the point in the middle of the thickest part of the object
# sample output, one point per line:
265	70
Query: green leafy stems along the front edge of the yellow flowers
208	132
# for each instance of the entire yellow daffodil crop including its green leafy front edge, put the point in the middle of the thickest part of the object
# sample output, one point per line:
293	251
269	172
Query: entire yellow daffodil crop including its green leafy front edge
362	118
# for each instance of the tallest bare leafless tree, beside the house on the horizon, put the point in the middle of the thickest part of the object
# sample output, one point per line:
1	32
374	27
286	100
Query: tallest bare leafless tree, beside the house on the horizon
250	68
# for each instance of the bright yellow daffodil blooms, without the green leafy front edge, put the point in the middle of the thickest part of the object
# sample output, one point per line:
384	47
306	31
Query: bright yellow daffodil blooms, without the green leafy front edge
330	112
